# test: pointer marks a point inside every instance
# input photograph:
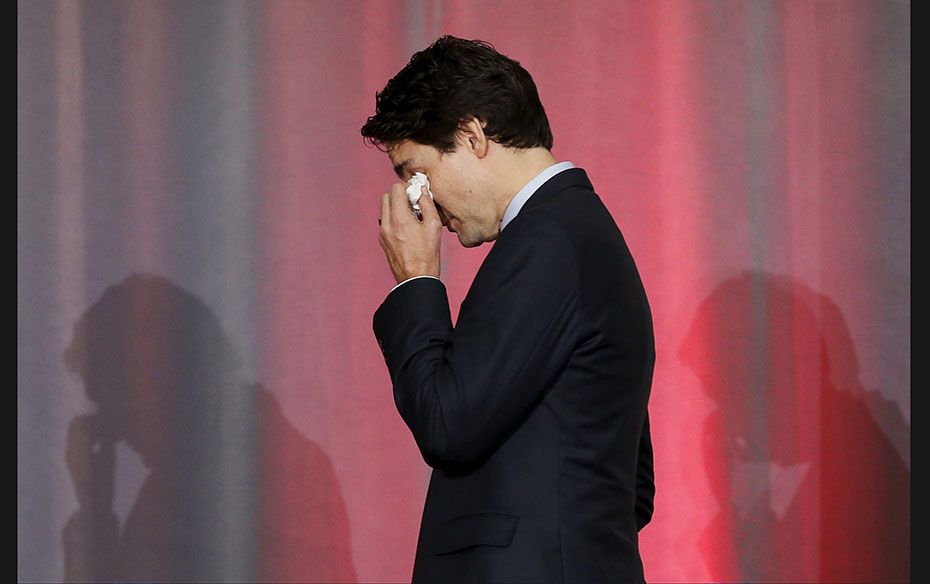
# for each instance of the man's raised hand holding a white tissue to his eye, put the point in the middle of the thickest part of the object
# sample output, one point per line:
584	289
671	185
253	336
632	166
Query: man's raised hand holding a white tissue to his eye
412	246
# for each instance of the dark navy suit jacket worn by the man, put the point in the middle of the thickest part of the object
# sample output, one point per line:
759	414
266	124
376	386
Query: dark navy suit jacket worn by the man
531	410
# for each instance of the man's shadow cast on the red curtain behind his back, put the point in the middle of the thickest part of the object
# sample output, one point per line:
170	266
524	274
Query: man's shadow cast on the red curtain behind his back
811	487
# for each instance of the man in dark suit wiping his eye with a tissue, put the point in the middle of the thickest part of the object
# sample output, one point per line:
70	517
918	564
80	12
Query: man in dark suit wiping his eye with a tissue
531	410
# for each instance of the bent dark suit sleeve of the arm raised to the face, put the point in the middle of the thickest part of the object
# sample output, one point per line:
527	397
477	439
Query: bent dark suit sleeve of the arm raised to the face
460	390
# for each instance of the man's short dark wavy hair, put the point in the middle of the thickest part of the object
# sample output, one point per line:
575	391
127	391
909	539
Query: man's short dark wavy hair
450	82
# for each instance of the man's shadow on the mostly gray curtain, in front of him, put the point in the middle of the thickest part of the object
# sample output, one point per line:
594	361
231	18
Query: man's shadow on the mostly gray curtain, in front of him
235	492
